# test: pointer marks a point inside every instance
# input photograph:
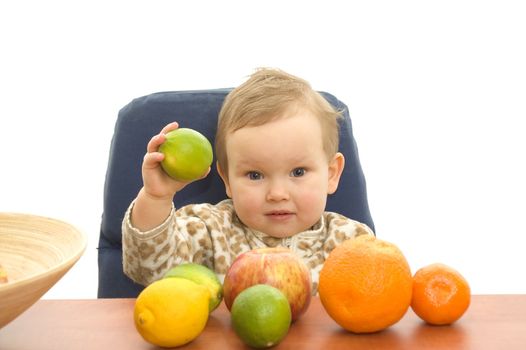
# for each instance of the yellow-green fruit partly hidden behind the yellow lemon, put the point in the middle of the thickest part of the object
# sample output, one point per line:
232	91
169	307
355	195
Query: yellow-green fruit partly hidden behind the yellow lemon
202	275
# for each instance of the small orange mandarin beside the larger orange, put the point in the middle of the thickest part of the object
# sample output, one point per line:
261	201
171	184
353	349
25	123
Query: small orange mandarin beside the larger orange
440	294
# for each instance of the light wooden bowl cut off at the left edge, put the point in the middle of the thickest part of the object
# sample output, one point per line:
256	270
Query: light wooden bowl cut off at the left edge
35	253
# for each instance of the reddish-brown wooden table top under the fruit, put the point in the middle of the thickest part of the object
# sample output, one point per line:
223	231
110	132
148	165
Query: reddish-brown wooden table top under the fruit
491	322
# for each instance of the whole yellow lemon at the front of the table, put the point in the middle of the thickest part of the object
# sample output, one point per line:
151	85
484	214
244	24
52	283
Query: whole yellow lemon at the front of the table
171	312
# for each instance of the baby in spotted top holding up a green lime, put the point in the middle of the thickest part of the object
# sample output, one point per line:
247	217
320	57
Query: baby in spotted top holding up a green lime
277	154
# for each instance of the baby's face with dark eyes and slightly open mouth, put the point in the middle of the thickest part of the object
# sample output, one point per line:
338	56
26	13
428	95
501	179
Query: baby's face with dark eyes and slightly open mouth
279	176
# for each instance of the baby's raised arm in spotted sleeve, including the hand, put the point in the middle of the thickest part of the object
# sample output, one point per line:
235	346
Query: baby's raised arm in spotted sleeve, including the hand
151	240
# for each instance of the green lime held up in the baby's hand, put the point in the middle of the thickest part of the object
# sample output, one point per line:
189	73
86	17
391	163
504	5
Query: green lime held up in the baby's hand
187	154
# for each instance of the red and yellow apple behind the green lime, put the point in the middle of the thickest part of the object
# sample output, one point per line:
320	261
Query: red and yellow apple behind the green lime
278	267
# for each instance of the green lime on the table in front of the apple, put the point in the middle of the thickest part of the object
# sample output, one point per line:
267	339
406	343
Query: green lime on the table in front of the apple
261	316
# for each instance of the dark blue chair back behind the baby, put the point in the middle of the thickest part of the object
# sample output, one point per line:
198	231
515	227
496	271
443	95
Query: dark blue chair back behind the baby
142	118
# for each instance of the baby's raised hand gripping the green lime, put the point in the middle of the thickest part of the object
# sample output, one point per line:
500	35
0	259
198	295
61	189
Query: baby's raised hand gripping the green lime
156	182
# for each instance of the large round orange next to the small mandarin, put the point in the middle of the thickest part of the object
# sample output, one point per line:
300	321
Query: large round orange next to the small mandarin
365	284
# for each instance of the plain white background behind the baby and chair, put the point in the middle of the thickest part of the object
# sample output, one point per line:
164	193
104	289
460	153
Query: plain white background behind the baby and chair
436	91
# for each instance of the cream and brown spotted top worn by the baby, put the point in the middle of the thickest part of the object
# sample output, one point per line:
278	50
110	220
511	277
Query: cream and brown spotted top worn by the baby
213	235
